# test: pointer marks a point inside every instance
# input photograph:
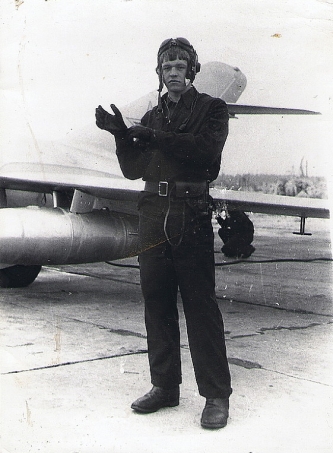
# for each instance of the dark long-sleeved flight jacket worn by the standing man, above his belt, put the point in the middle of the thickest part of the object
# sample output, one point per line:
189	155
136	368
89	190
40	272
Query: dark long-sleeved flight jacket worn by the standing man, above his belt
186	144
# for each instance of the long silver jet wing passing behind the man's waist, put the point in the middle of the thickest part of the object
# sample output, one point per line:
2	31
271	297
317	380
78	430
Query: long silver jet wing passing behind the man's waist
59	178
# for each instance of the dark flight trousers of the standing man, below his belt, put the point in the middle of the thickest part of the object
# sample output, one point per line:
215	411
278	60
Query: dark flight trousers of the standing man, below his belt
189	267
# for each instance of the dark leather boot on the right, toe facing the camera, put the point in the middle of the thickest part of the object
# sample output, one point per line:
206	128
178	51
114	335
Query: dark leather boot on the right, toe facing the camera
215	413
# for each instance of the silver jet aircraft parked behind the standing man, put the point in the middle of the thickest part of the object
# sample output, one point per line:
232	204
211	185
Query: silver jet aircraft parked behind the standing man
55	214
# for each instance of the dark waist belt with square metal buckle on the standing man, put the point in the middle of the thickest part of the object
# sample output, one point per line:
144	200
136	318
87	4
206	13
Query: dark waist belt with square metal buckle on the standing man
182	189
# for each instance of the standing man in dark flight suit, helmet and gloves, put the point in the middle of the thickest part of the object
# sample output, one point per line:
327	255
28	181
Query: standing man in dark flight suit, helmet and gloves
177	150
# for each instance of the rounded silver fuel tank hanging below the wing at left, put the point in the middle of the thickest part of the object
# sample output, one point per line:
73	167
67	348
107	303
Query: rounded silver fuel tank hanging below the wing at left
34	235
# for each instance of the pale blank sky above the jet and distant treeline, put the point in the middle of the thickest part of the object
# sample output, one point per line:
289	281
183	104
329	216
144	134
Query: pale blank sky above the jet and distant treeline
61	58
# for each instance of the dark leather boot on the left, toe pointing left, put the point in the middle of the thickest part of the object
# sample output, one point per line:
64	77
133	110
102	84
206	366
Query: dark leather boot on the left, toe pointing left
155	399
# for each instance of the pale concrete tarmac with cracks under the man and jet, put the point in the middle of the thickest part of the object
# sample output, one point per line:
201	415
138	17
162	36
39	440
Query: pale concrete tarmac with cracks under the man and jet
74	357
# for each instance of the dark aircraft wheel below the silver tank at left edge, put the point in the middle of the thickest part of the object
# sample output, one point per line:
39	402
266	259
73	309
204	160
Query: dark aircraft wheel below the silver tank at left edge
18	276
